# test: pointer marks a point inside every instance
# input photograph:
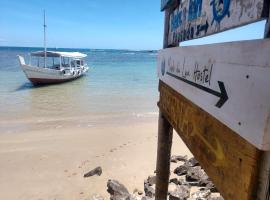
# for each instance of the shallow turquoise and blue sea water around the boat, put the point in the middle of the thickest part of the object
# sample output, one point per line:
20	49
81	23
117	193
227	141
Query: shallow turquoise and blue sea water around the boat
121	85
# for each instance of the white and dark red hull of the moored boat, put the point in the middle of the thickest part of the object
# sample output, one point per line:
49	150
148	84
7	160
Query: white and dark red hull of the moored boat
44	76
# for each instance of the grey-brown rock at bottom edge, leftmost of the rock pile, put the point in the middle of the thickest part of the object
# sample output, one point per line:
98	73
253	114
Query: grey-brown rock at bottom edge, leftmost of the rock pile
117	190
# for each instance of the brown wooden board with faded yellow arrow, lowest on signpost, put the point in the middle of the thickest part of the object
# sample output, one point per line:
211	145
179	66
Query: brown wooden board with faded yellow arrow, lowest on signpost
229	160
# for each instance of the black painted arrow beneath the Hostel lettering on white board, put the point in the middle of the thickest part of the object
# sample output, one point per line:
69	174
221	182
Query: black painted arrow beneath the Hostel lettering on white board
223	96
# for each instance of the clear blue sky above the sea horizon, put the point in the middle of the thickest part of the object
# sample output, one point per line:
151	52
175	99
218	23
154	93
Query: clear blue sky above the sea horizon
96	24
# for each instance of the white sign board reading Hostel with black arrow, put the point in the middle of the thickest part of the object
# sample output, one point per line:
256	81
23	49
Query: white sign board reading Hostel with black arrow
230	81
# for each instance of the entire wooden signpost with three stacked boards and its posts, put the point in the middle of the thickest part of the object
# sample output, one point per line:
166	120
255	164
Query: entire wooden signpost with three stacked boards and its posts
216	97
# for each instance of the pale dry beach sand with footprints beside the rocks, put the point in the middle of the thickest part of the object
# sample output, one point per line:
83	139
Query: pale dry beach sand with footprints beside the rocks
50	164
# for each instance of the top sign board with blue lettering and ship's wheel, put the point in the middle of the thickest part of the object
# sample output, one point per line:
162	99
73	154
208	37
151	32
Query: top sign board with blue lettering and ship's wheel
197	18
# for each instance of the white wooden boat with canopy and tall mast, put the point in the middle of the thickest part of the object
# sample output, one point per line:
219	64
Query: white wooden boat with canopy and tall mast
49	67
